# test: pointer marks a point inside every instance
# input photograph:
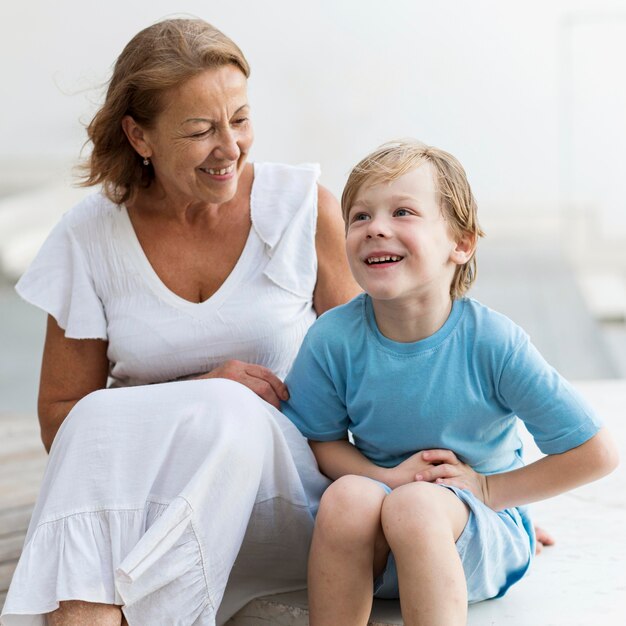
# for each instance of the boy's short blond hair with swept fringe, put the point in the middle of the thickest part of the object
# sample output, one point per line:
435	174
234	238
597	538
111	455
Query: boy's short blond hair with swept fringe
394	159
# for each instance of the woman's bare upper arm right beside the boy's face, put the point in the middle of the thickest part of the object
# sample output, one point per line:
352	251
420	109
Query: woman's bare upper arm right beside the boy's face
335	284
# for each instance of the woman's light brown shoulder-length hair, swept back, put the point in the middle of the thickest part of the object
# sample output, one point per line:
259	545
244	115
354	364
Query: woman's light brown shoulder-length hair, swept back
155	60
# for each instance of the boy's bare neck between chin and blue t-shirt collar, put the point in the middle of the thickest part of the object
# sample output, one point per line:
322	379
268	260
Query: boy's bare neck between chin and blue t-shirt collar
407	321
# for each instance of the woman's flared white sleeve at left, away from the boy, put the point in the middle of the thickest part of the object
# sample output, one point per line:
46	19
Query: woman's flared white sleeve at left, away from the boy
59	281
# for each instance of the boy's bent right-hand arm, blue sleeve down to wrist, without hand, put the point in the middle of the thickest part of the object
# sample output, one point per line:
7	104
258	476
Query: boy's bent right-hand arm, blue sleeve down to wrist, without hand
562	424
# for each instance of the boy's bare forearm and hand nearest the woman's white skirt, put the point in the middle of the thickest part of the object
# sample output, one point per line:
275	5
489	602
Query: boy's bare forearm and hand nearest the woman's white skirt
338	458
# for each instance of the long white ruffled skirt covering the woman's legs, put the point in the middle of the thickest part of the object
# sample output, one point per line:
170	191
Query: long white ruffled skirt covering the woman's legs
156	485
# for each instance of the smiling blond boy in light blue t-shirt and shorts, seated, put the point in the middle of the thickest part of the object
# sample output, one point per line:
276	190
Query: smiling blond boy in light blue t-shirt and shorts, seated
414	370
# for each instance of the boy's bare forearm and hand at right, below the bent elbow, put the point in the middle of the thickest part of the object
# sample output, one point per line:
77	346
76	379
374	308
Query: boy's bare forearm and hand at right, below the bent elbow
545	478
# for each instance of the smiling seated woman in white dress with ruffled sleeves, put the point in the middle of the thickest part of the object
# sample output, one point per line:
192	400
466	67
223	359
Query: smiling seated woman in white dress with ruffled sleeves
192	263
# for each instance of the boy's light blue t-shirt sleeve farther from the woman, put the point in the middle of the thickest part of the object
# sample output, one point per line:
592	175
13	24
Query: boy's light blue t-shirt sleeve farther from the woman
555	414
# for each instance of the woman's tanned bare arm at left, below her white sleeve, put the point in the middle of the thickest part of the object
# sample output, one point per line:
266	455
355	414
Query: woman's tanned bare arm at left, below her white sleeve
70	369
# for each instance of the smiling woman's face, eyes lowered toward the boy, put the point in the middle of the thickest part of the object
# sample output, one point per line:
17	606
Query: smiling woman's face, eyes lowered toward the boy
199	143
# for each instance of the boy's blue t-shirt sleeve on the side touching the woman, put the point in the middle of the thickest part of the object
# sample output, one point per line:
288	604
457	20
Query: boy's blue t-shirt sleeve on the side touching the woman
316	402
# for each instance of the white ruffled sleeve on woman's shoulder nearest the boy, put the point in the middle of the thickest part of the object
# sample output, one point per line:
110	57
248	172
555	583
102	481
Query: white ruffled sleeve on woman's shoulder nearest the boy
284	214
